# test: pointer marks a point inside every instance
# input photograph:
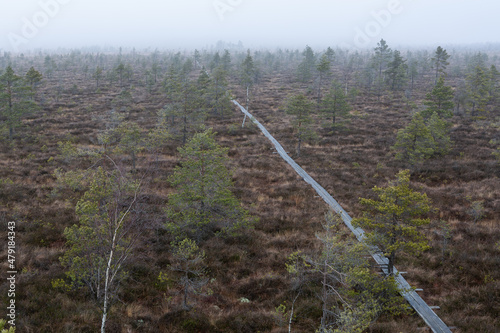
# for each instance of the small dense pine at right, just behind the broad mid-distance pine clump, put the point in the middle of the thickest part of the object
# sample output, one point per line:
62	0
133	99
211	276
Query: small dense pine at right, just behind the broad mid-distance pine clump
439	100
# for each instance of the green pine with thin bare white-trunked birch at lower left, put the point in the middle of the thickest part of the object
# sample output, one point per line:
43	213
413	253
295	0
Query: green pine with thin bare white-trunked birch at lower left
102	243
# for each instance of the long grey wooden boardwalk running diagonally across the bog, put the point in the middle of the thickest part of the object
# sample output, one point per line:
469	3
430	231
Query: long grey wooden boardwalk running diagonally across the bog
425	312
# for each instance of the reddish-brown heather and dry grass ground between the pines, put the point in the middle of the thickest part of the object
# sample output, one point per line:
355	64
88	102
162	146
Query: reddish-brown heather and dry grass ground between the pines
348	163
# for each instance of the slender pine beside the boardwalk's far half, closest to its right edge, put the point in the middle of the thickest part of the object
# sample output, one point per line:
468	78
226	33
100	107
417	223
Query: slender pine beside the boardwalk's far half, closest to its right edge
301	108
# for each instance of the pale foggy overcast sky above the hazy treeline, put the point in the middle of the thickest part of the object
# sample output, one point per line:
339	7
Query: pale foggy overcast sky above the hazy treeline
181	24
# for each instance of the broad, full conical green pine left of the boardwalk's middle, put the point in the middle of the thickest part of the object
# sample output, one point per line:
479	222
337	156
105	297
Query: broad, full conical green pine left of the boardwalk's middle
203	203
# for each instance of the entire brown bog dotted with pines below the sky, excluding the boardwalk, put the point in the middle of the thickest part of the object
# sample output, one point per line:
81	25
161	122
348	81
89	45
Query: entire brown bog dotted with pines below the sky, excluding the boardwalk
144	204
